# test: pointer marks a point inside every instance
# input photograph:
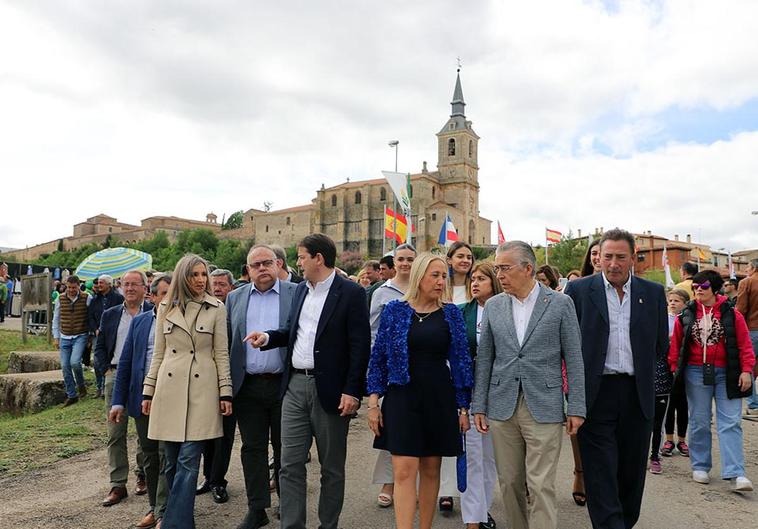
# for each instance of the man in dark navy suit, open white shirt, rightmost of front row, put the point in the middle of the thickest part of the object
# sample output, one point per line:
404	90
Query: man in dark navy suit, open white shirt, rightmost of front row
624	327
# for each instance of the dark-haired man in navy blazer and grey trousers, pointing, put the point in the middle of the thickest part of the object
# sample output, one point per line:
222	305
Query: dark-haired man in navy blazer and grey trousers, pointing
327	340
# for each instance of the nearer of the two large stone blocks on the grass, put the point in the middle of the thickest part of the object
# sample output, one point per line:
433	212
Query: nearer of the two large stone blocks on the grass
31	392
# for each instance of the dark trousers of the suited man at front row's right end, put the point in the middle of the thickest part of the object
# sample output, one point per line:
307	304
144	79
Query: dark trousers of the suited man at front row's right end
614	443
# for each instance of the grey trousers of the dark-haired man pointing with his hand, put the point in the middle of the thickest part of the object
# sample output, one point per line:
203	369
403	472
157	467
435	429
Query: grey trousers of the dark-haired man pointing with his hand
303	418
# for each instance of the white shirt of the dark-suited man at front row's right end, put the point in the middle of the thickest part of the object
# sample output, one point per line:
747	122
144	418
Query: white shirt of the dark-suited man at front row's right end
619	358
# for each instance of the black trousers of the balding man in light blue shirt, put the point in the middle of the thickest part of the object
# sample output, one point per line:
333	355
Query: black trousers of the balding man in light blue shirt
259	414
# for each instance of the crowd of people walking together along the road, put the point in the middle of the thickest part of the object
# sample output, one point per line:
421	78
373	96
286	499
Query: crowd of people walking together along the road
470	372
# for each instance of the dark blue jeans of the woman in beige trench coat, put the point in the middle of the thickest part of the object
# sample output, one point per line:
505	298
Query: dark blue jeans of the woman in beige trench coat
182	467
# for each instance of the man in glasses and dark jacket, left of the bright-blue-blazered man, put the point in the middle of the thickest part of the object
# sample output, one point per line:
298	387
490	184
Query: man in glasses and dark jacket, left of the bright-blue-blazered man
111	337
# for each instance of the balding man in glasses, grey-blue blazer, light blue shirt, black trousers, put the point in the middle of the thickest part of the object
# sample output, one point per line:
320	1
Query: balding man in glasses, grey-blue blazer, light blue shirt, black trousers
257	376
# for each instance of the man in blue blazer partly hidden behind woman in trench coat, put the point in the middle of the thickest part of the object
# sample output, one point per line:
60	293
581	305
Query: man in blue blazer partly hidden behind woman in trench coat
127	398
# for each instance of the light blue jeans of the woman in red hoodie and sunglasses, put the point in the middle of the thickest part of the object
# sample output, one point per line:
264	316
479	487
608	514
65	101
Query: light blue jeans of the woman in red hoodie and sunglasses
728	423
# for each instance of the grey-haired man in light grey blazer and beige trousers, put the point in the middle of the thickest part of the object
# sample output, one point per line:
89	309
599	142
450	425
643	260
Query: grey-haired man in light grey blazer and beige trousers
518	392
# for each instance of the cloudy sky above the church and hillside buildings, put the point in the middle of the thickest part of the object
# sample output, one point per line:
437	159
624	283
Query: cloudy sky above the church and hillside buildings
638	114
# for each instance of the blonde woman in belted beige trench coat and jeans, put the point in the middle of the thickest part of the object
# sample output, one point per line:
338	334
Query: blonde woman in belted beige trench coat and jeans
188	387
